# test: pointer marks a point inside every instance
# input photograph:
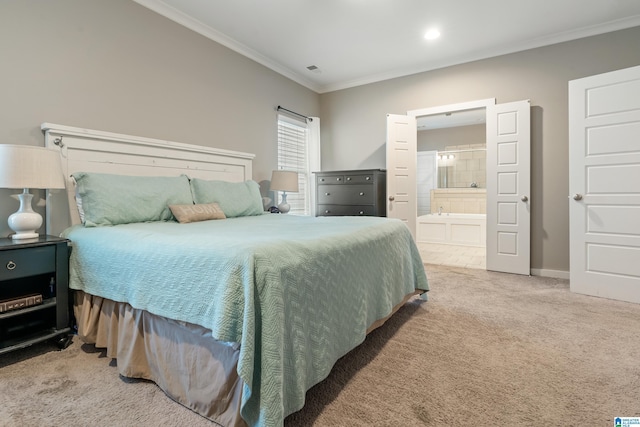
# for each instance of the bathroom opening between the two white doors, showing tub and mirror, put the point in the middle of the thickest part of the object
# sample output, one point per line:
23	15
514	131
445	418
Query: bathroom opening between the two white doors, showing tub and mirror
451	221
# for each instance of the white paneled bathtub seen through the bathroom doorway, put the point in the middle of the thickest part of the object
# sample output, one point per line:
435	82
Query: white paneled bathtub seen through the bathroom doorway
453	229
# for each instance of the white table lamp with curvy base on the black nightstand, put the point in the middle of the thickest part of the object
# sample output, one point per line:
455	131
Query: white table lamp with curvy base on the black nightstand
25	167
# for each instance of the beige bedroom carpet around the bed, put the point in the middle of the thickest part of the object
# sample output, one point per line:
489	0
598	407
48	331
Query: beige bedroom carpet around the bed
488	349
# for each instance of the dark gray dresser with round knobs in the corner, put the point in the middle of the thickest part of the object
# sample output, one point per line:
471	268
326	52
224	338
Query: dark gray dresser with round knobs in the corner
351	193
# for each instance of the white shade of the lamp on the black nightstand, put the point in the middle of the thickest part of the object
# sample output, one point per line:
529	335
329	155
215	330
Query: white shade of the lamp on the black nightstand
24	166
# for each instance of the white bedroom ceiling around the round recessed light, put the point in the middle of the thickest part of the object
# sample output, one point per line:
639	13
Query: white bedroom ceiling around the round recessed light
354	42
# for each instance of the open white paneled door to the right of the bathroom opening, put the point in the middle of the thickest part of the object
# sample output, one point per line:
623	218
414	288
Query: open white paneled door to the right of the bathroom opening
508	188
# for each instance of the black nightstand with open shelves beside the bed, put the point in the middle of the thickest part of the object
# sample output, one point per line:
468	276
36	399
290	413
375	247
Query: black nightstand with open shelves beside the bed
34	292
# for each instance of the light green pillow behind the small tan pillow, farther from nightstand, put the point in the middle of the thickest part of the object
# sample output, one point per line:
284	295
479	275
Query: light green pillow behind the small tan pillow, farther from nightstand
234	198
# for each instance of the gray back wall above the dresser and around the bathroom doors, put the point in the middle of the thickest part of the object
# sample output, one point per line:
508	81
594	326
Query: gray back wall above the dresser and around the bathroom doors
353	120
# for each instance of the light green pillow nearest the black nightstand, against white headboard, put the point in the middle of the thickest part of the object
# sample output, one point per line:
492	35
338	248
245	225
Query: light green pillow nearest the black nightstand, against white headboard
120	199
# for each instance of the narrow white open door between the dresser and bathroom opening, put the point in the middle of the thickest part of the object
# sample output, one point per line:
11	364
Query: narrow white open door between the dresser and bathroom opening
402	137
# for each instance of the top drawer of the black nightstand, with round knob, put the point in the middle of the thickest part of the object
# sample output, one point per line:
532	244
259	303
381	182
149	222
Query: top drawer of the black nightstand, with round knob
18	263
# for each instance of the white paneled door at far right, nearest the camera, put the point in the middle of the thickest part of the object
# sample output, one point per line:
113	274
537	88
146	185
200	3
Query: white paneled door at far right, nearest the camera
604	182
